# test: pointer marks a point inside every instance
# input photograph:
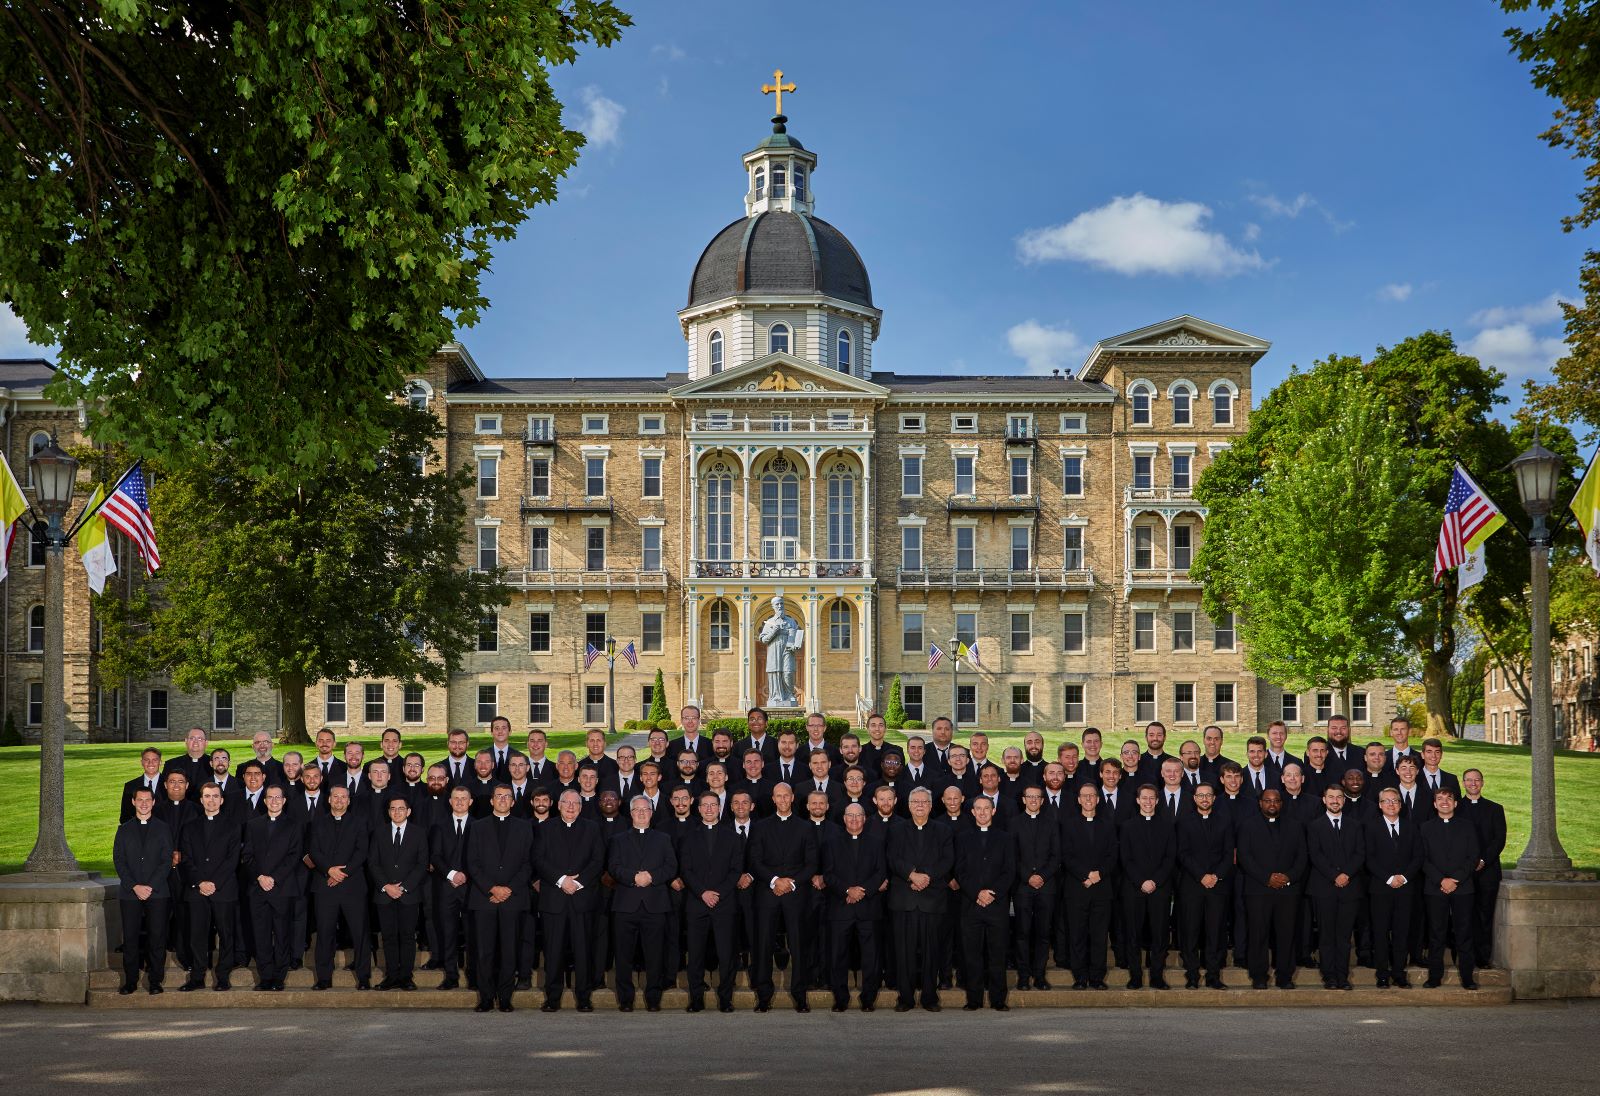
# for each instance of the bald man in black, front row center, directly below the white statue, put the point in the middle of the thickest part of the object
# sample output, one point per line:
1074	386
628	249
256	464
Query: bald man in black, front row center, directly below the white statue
782	857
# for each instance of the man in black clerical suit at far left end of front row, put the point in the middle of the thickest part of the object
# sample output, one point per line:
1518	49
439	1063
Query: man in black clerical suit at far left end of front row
143	857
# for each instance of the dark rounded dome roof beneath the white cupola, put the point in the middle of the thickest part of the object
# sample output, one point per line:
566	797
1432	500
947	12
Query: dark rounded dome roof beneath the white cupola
780	254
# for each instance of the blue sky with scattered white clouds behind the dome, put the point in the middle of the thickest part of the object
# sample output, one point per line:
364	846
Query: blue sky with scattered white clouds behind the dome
1028	178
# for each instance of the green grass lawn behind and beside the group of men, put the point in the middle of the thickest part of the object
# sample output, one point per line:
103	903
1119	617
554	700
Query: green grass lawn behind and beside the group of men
95	777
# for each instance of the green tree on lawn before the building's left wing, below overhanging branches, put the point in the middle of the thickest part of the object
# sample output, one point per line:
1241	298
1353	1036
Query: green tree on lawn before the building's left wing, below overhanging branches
353	575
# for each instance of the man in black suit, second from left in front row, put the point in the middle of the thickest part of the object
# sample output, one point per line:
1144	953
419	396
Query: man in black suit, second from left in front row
210	874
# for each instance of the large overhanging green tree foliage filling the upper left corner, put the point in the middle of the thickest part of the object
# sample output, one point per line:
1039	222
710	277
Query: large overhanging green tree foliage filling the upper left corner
250	222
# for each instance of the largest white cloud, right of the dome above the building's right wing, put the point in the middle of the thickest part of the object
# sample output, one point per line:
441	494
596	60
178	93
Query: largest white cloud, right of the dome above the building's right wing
1140	236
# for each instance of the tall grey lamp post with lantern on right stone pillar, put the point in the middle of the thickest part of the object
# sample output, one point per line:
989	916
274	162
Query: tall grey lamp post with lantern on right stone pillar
1538	473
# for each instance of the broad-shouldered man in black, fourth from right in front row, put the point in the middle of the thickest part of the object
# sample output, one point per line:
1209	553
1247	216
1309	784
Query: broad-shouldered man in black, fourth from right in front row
1273	862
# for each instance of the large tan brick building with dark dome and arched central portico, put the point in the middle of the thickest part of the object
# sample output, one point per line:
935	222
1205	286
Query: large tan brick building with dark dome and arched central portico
1047	521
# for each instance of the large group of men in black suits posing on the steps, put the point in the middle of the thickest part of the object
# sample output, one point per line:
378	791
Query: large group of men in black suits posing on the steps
916	868
